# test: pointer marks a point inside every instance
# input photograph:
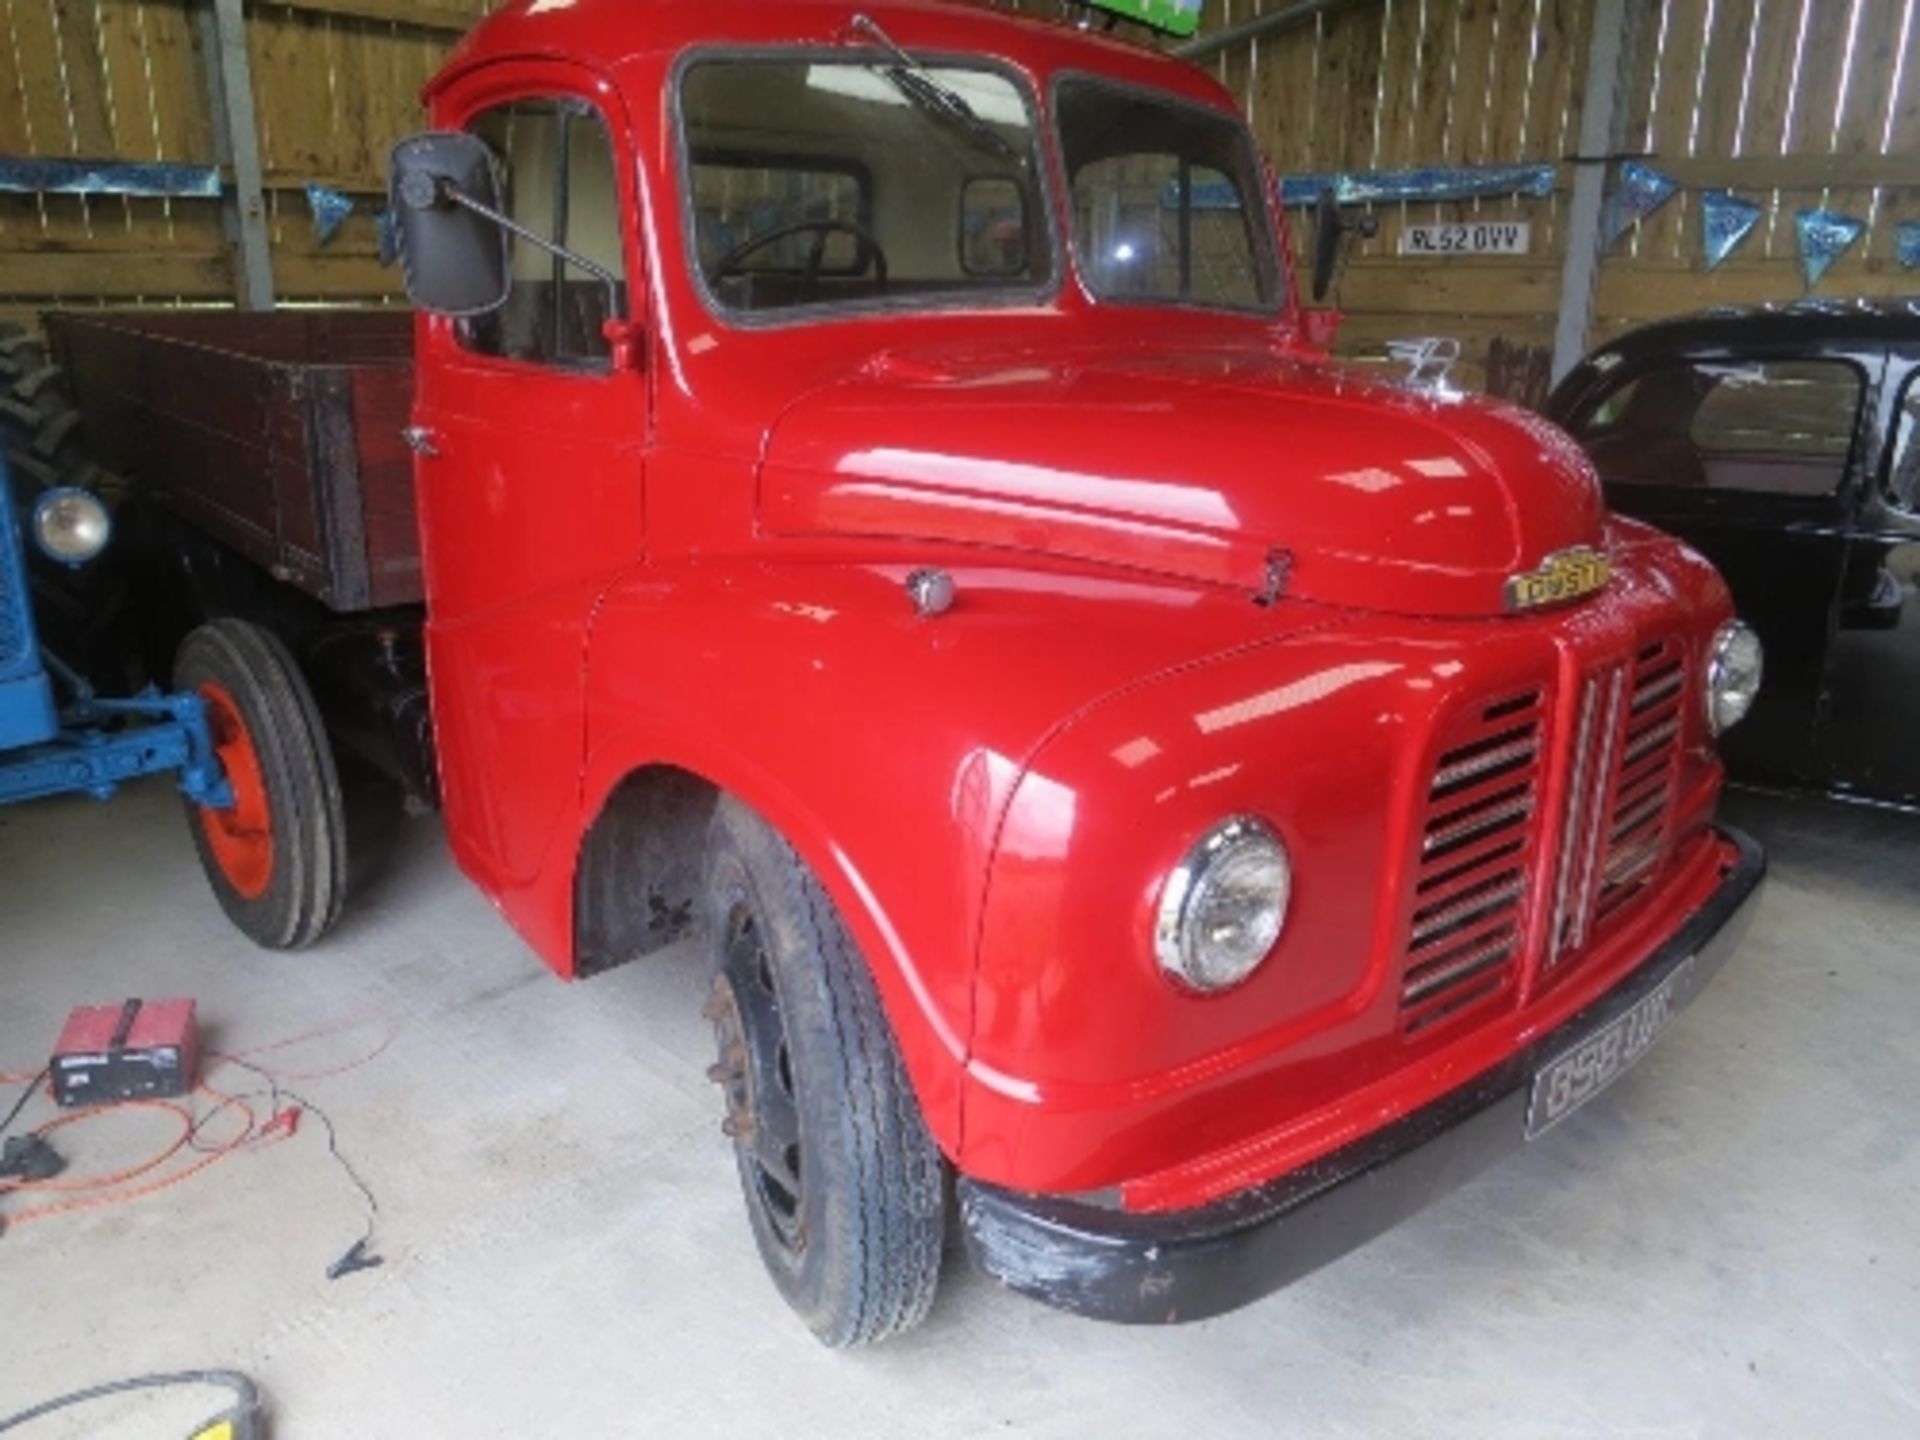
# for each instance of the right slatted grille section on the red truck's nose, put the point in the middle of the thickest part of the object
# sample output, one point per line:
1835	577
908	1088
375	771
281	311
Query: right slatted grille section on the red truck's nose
1620	794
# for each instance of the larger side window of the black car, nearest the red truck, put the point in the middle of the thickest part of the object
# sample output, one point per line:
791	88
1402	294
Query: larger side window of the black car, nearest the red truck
1760	427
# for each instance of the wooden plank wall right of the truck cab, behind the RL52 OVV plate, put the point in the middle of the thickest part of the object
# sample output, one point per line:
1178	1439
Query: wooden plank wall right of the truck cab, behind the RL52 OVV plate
1787	103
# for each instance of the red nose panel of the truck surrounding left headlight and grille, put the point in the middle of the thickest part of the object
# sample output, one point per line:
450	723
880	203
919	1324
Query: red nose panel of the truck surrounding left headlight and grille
1088	1068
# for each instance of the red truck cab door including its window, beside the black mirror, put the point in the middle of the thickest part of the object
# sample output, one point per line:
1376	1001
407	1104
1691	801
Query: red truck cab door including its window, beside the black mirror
531	473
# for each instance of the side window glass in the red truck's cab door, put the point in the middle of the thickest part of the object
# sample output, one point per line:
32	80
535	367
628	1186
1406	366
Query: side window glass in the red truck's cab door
558	178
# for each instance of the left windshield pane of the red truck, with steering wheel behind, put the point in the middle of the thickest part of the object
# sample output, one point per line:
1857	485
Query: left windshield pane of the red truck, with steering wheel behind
823	181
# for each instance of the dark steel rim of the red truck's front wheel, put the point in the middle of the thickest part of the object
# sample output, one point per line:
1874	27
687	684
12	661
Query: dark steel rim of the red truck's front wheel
756	1072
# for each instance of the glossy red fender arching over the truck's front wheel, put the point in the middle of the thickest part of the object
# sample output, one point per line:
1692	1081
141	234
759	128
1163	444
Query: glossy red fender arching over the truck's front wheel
880	744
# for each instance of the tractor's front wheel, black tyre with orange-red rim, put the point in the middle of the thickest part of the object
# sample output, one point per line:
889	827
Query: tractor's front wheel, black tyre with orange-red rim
277	857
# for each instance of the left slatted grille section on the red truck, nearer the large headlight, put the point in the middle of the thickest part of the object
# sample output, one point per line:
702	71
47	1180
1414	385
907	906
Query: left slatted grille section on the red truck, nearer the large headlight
1470	894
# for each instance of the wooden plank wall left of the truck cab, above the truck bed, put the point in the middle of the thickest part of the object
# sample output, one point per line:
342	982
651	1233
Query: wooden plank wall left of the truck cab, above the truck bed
337	82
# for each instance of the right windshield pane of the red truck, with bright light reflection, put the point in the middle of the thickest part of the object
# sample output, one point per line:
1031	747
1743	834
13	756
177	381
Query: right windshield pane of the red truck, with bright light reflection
1166	201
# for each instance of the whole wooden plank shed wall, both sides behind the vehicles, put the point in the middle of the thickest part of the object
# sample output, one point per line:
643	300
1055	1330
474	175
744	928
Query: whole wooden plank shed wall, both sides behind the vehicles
1790	103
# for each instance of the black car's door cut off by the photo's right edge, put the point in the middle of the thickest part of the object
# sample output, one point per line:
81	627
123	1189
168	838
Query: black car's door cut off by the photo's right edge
1871	742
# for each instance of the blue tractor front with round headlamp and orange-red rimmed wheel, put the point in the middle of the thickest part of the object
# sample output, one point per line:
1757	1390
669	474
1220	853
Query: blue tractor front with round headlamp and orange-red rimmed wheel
239	734
